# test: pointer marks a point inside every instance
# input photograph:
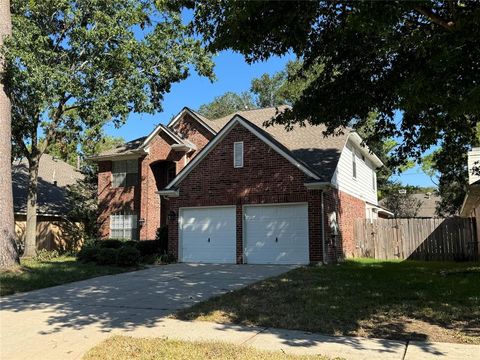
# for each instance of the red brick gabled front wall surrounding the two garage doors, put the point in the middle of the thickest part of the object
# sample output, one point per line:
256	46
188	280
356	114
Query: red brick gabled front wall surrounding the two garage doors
266	177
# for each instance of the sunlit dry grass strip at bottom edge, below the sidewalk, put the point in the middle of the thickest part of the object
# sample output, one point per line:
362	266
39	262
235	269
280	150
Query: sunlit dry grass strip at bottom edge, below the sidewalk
125	348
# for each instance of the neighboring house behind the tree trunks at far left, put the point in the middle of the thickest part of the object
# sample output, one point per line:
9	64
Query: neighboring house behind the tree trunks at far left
54	229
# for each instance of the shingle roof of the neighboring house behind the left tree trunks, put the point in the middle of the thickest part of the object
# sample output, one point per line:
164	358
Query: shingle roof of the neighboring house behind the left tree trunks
51	197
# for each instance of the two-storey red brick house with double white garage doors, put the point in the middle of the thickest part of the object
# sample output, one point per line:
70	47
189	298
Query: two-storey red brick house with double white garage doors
234	191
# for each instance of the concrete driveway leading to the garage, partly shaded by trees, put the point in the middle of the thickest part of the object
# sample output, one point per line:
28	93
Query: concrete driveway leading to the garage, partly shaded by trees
63	322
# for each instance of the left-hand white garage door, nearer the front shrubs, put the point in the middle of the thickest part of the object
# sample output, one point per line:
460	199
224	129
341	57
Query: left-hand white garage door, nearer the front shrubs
208	235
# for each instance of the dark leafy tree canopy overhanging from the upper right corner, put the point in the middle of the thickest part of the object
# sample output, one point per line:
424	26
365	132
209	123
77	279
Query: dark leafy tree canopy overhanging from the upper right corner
420	58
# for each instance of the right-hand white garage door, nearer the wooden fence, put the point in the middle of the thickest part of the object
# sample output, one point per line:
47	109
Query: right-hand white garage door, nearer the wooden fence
276	234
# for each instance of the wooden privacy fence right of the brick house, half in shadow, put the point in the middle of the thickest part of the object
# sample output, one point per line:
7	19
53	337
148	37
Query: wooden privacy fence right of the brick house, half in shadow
417	238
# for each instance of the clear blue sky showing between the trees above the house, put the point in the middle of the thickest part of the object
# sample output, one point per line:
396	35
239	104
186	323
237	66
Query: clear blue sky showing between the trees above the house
233	74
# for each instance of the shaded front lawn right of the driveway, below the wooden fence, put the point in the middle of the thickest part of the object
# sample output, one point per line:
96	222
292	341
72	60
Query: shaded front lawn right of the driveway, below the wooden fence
434	301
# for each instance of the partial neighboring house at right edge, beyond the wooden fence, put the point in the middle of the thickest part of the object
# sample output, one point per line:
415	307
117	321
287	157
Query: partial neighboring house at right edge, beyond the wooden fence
471	203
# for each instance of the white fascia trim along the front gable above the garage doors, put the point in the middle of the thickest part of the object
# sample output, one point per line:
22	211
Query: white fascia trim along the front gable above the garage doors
237	119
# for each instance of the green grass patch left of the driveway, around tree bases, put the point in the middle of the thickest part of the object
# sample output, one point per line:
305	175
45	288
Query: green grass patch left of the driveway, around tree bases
35	274
